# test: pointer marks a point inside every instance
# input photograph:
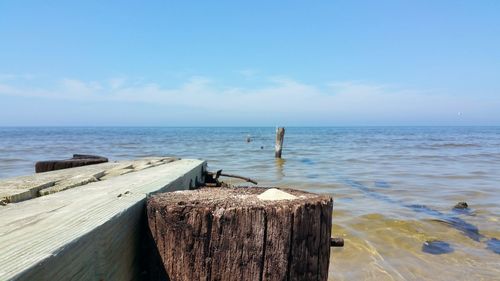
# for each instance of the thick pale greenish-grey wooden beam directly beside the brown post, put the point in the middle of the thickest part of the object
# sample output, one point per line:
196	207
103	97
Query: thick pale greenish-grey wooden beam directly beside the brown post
90	232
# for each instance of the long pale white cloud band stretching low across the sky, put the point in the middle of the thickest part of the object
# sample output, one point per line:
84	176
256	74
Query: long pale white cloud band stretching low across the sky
282	98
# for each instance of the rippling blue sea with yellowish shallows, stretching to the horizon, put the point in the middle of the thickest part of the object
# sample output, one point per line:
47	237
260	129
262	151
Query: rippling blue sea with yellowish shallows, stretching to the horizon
394	188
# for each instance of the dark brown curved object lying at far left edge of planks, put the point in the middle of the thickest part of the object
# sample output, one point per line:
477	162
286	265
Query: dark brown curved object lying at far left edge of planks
77	161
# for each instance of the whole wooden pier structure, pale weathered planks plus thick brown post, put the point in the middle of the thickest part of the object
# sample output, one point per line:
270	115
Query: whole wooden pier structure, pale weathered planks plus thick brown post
114	221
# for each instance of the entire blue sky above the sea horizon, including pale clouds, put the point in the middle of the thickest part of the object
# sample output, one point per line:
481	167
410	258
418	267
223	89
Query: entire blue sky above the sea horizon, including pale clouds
250	63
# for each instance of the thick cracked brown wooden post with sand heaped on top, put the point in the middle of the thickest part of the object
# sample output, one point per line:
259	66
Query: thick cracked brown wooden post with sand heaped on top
242	234
